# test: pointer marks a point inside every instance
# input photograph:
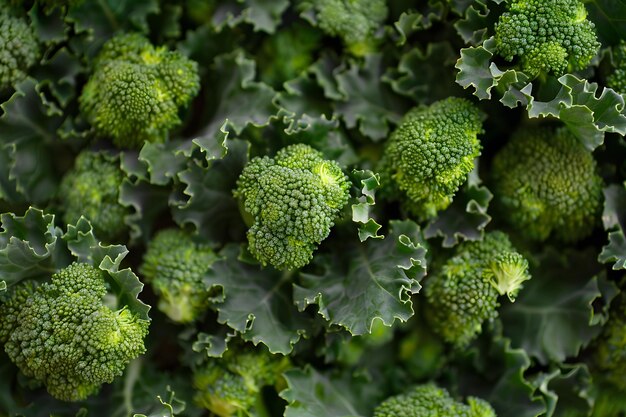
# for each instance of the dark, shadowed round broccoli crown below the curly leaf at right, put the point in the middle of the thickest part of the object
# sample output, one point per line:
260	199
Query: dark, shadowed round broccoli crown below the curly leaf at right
546	183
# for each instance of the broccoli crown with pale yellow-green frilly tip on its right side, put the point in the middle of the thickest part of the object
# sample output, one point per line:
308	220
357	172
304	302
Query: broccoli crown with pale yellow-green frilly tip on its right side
464	292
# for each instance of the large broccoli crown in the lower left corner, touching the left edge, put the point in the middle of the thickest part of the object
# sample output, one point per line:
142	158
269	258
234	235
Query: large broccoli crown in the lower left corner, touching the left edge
63	334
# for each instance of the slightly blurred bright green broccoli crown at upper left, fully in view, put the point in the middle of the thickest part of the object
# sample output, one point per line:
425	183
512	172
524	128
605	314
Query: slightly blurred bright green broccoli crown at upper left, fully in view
136	89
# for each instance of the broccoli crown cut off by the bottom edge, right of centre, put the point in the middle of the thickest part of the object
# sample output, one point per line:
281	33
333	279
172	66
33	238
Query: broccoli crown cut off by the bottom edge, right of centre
430	400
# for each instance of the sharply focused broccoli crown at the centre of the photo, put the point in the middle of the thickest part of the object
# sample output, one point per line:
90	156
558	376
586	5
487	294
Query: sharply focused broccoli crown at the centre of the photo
292	201
